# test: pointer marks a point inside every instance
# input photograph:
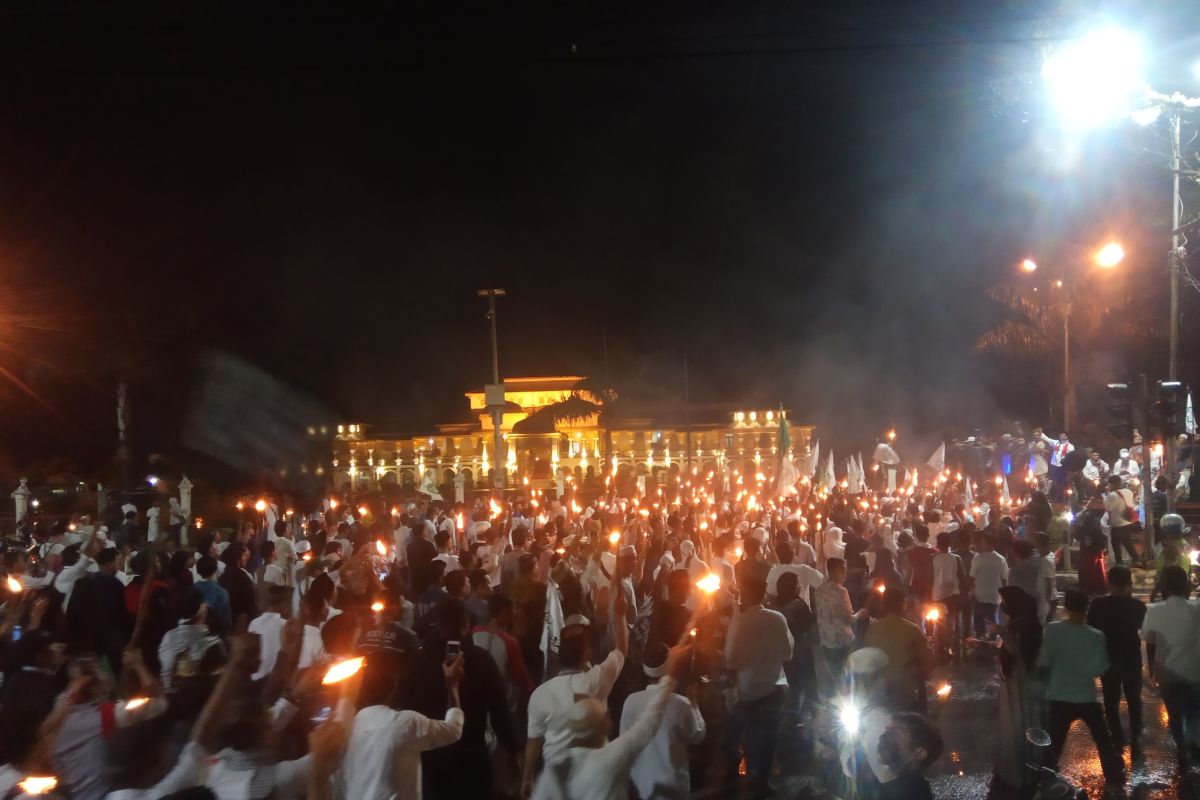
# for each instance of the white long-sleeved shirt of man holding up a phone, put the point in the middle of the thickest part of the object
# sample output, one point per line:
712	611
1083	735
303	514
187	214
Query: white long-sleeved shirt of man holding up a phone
383	759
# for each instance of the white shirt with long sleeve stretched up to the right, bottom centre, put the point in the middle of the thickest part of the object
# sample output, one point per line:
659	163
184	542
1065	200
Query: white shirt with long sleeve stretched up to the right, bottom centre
603	773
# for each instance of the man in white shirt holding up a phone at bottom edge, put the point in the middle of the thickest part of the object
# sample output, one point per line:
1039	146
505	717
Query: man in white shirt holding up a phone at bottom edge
383	757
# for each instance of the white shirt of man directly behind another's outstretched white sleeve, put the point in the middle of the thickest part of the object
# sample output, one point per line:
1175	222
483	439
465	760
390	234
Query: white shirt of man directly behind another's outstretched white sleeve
664	762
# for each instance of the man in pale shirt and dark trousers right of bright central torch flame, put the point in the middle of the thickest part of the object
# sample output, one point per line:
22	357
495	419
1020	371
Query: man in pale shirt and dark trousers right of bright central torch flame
757	647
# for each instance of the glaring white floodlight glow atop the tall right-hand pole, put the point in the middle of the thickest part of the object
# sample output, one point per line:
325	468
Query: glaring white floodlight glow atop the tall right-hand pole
1095	81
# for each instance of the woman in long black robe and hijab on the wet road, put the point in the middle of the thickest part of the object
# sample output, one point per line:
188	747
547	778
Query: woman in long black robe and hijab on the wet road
1021	700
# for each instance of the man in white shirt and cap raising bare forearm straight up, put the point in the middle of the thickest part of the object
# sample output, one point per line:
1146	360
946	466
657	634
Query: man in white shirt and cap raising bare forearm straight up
549	736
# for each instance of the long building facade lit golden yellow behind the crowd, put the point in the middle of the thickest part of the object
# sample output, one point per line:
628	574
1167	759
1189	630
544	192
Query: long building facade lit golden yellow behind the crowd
662	449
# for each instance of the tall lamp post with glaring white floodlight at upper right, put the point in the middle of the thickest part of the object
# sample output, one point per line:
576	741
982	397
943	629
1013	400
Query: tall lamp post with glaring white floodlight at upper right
1097	81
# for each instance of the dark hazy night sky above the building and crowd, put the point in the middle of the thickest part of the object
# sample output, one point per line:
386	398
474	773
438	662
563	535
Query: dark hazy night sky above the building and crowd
807	201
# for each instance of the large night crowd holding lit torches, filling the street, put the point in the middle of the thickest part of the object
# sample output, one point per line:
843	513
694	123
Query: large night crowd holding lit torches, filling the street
623	645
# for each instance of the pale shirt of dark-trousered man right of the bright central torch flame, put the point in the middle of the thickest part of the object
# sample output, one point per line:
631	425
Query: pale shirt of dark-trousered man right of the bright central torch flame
757	646
